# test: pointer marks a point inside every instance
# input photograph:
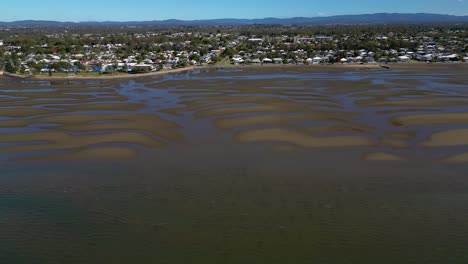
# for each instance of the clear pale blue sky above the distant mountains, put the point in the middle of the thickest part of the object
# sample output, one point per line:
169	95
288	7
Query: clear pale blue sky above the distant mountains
145	10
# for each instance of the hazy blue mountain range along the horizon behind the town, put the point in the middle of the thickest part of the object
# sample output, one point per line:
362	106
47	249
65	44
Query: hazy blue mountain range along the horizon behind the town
373	19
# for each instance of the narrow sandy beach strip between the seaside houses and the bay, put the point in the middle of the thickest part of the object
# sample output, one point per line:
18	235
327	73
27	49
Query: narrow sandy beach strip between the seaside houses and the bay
337	66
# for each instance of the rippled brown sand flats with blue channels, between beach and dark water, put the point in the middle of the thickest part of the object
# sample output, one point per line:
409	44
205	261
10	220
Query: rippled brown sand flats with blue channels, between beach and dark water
298	109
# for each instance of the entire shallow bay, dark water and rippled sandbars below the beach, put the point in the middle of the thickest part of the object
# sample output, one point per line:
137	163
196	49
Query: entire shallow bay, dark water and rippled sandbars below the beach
237	166
